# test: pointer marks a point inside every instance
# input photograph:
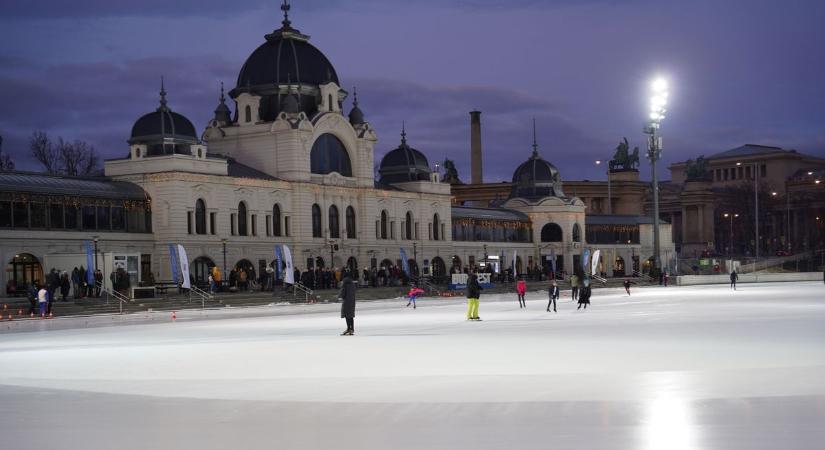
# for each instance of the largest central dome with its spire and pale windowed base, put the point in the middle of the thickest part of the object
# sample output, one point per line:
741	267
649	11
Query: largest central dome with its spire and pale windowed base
286	59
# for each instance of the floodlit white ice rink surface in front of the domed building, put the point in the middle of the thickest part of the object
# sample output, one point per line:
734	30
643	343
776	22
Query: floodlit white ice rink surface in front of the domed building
667	368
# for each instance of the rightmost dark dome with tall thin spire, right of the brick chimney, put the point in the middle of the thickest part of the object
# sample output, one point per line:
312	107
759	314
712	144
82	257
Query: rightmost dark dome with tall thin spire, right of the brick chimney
536	178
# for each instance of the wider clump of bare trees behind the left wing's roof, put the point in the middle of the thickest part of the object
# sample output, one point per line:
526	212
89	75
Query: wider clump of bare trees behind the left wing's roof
76	158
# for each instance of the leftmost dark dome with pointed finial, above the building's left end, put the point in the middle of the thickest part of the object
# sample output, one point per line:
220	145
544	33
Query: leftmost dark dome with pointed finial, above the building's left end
164	132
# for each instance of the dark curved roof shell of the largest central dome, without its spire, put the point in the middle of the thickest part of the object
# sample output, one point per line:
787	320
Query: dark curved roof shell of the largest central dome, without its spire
286	57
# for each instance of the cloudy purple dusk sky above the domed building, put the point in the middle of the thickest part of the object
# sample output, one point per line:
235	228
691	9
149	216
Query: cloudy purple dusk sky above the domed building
741	71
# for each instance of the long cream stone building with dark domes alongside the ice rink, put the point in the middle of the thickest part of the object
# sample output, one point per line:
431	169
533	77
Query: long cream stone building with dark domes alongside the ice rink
280	162
